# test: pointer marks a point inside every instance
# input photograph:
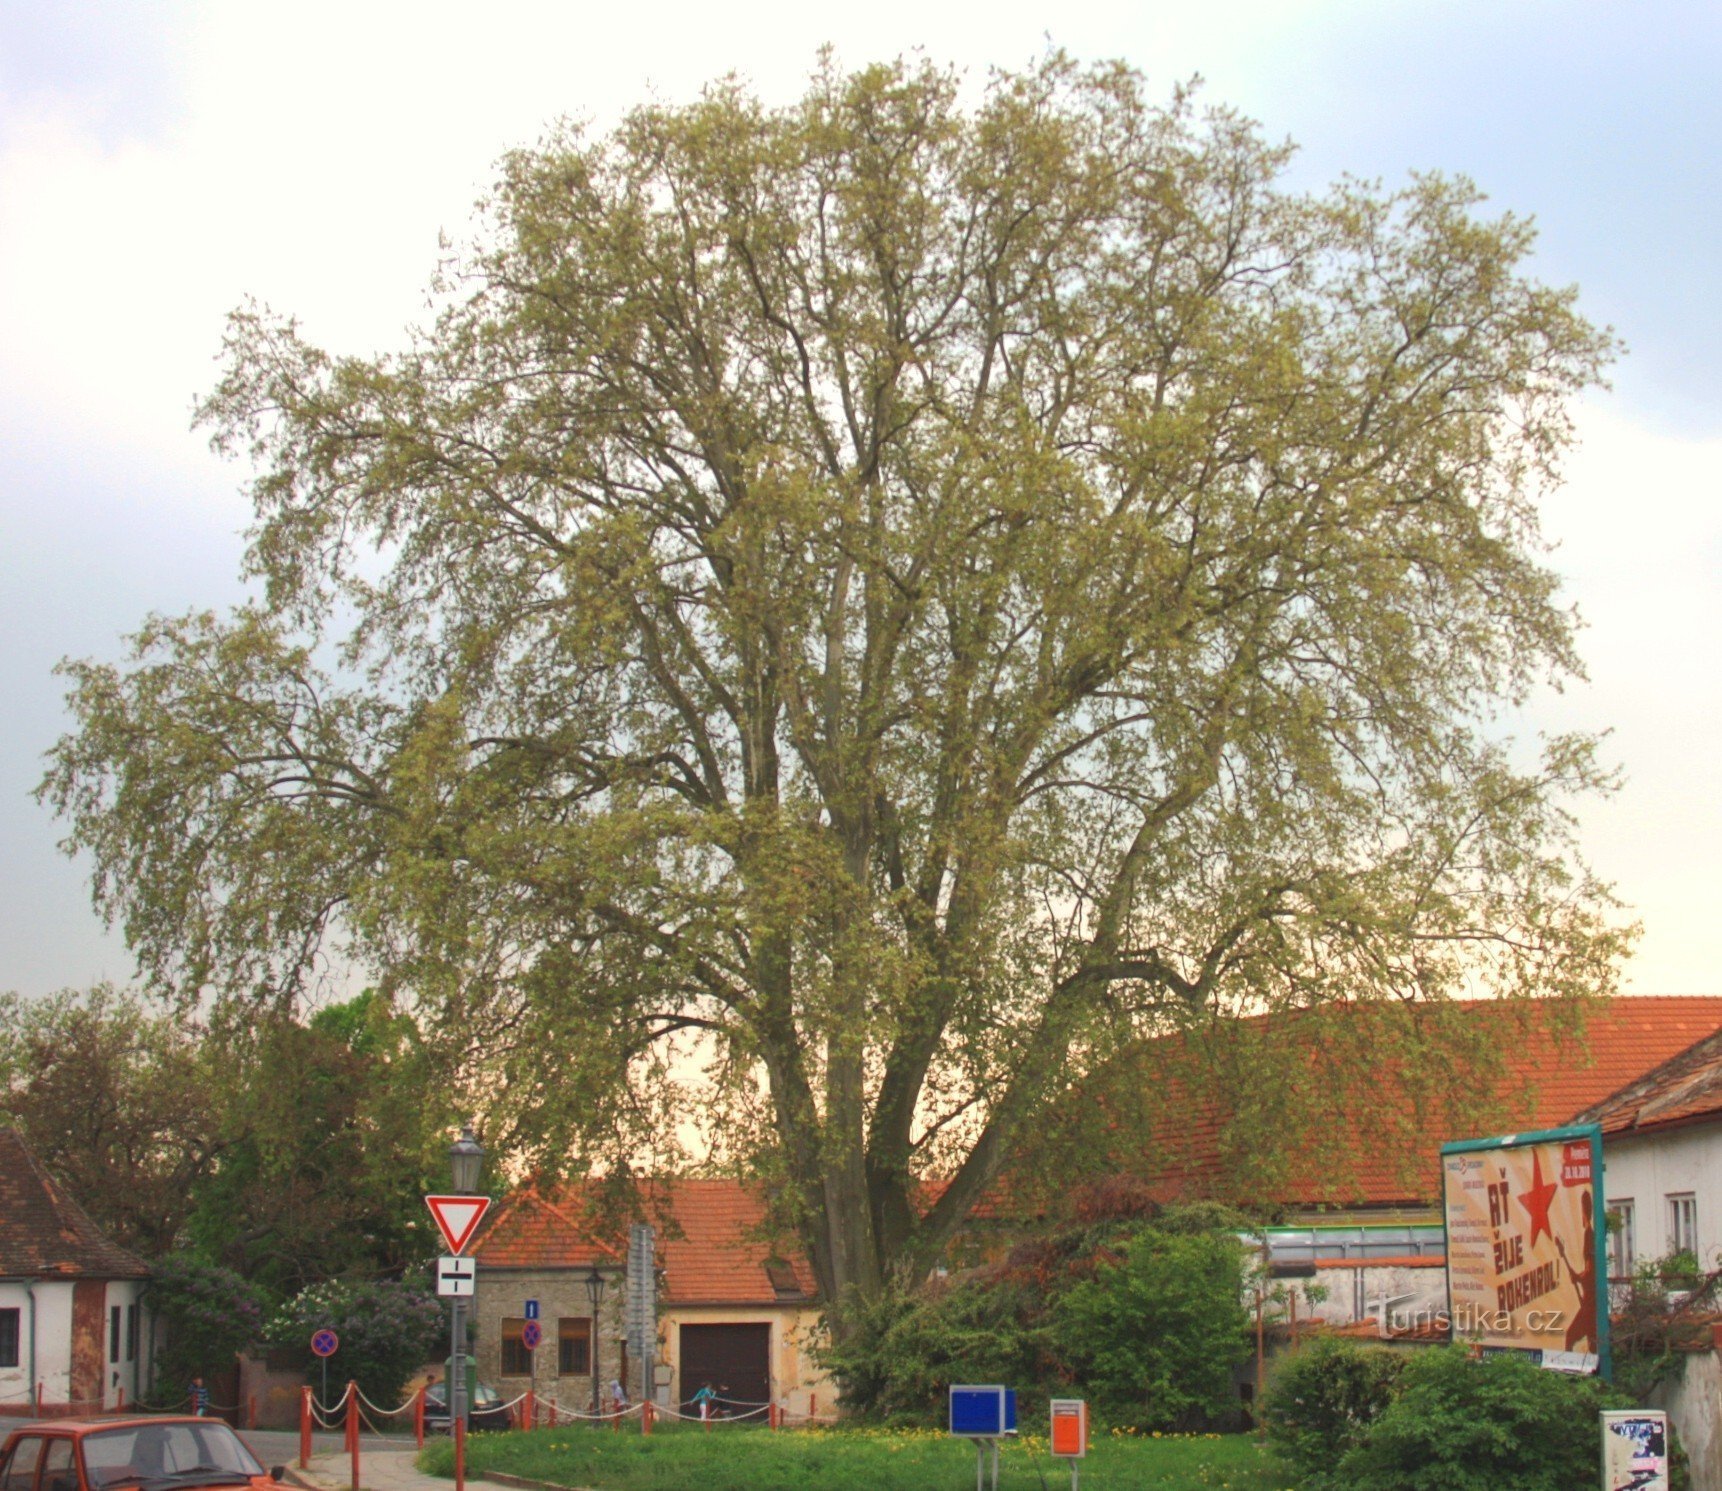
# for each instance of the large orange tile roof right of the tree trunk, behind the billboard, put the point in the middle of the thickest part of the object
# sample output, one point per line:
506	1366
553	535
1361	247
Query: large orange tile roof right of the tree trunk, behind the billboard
1361	1135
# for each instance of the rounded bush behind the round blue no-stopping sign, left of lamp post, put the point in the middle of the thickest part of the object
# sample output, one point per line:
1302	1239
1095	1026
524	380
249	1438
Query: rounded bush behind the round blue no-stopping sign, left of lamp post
388	1332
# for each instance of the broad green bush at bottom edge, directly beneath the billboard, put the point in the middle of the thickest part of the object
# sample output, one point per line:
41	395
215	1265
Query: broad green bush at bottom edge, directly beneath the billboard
1494	1425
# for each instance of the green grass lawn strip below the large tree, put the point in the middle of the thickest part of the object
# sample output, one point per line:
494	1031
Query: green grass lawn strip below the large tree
738	1457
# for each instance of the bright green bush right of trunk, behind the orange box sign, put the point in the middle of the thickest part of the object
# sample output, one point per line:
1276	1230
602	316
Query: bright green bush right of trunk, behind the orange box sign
1155	1337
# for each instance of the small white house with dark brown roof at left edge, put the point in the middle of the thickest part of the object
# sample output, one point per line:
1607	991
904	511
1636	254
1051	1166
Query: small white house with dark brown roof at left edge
71	1315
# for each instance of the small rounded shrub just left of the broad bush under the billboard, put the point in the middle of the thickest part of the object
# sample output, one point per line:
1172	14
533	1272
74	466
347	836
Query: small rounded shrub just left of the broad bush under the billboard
1322	1402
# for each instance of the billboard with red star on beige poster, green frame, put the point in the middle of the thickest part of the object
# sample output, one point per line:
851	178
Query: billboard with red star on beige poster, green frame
1525	1246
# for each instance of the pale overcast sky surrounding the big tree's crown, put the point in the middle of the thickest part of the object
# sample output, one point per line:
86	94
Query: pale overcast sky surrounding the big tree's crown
163	161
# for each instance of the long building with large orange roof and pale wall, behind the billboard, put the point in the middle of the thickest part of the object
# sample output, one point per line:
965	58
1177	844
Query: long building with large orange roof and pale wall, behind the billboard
1356	1175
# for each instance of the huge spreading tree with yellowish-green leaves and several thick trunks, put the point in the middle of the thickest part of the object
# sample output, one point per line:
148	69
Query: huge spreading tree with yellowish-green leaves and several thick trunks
905	591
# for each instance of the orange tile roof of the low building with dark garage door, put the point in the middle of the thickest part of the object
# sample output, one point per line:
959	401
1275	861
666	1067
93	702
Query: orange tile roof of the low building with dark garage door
714	1246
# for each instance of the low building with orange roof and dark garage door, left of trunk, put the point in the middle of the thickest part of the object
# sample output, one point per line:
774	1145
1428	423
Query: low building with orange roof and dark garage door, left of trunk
734	1306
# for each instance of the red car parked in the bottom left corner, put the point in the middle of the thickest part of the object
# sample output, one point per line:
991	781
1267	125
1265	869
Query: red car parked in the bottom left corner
149	1454
